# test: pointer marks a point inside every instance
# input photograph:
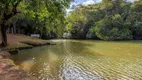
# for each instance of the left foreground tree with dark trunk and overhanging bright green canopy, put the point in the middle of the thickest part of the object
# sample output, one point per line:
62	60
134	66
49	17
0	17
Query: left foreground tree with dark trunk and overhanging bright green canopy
38	10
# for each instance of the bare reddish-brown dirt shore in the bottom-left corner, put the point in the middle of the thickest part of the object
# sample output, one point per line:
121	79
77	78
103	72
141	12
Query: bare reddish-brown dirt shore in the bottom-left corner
10	71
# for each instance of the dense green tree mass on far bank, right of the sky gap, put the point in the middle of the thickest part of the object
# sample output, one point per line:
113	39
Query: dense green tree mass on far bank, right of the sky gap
108	20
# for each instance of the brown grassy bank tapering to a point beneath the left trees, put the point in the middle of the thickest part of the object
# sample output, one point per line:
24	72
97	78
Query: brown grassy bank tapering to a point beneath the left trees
19	41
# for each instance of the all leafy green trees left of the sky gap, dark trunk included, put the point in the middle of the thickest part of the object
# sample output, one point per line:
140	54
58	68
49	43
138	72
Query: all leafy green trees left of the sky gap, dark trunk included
31	16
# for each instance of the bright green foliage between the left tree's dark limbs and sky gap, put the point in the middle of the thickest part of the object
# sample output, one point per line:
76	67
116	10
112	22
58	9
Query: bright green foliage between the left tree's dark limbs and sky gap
42	16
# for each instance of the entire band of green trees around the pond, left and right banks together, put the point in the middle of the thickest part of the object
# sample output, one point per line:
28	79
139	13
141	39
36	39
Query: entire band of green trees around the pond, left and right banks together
107	20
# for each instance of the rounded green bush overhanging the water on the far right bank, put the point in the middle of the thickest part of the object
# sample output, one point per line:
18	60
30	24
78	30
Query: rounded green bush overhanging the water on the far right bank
112	28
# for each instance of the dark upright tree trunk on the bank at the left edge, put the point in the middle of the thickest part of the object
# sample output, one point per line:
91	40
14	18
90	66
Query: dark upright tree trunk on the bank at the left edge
3	35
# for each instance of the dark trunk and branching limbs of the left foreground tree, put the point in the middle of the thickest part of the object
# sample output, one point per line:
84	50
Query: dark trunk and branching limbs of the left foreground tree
8	9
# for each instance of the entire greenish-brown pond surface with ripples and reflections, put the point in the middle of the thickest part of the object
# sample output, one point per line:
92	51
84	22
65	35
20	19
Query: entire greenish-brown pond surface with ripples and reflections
83	60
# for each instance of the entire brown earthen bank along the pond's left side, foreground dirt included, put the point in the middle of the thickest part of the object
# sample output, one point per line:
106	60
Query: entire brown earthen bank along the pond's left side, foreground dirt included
8	69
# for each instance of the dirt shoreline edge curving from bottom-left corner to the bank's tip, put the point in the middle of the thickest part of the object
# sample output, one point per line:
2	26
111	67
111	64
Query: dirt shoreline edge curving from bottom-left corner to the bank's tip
9	70
